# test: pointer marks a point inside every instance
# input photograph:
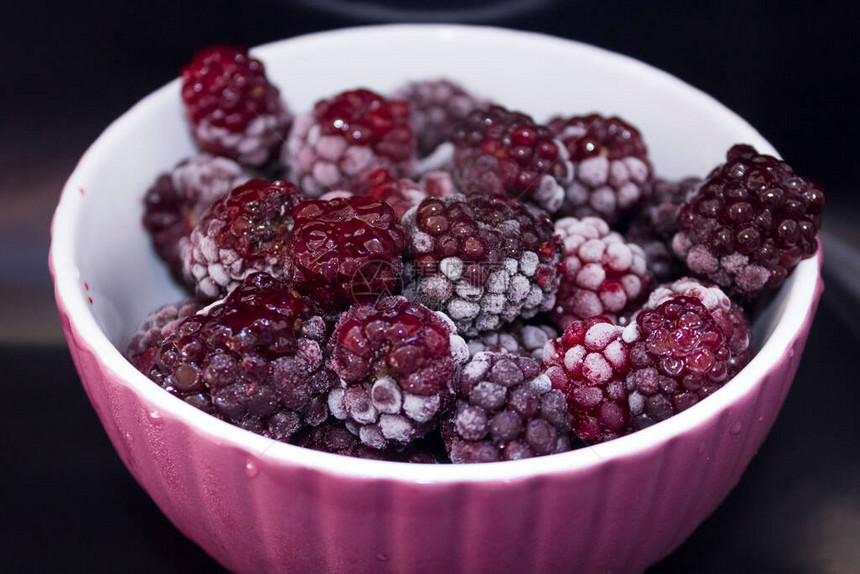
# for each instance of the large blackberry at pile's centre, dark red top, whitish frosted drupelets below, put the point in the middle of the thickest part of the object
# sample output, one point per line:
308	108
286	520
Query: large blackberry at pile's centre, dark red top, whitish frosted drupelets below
484	261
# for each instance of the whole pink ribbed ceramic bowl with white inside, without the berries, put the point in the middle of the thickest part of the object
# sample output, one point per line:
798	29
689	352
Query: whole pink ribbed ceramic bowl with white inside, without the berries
256	505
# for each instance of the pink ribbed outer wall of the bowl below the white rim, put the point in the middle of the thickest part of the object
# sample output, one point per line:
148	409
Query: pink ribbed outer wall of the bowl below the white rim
256	514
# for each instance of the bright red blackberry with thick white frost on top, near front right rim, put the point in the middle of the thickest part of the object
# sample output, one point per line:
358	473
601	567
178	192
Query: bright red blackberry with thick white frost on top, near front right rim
589	363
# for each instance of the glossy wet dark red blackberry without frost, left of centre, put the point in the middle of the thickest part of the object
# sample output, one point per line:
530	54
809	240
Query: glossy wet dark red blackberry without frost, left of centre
344	251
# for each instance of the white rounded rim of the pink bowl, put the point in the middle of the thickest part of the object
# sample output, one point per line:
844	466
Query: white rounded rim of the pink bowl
78	317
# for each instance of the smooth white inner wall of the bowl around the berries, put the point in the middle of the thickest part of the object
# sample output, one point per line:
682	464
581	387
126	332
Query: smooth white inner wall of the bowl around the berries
102	252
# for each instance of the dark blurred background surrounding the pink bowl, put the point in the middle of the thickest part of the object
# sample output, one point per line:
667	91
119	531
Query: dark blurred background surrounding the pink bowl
791	69
